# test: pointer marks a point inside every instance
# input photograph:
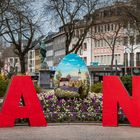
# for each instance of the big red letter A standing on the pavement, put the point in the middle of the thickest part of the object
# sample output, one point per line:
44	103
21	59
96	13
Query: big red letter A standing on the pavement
21	86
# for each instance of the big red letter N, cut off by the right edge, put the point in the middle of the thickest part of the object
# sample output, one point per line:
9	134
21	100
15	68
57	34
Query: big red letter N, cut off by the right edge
114	94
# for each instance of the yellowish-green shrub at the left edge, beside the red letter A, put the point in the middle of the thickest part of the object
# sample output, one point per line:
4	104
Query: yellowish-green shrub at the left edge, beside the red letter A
3	85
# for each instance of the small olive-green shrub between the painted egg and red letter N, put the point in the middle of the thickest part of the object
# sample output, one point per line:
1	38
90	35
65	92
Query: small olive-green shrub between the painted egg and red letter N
97	87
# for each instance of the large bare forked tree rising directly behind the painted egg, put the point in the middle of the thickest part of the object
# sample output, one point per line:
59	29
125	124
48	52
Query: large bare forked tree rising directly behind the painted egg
70	13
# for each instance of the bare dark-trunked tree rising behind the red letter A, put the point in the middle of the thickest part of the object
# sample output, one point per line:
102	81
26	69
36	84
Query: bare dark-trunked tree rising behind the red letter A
20	30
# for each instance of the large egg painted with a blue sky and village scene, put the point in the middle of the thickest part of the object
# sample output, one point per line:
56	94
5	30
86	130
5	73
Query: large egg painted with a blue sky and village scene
71	78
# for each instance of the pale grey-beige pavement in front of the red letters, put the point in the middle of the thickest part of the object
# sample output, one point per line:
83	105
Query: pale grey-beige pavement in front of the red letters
70	132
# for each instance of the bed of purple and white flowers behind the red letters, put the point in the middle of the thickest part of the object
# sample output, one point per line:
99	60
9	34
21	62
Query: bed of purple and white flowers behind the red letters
88	109
